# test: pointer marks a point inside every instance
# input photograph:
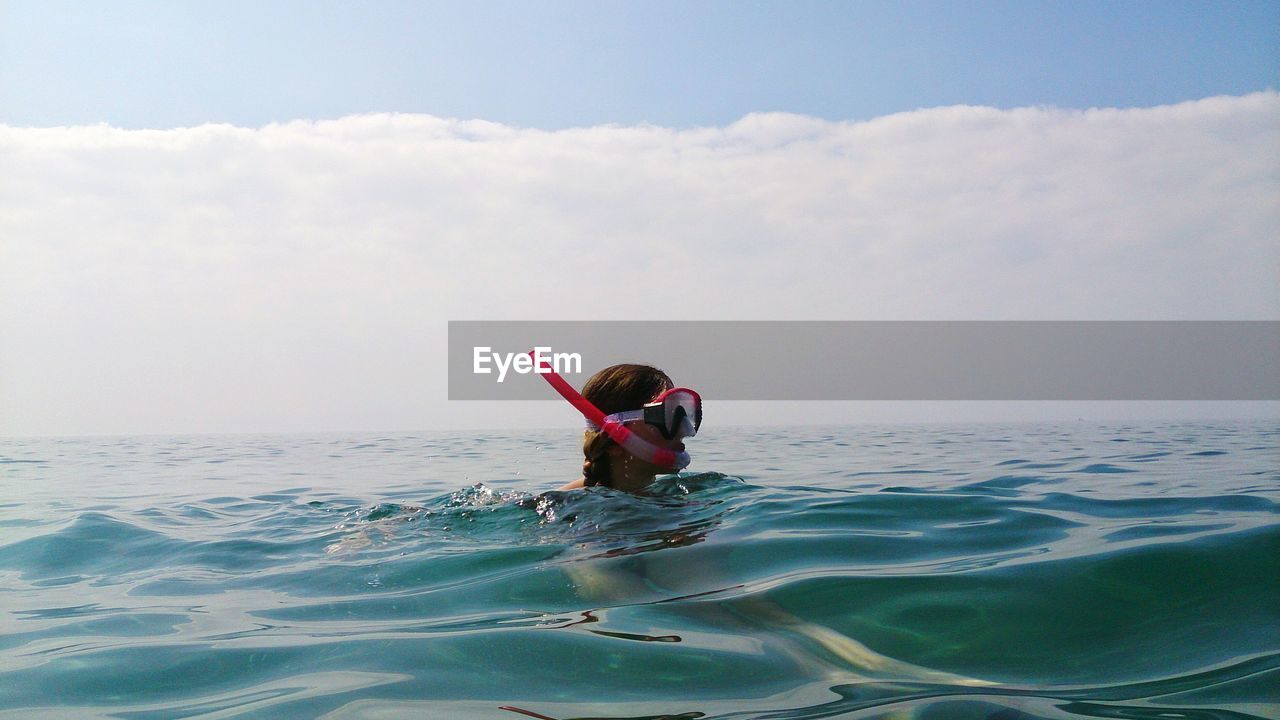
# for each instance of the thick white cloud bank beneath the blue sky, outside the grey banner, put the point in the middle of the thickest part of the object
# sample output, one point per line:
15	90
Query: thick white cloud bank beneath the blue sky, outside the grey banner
300	276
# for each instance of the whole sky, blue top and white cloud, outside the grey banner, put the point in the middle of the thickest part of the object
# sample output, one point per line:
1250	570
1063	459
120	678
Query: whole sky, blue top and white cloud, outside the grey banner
249	217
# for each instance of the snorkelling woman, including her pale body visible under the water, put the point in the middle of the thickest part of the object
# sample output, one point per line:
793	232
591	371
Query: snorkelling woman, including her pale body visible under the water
644	402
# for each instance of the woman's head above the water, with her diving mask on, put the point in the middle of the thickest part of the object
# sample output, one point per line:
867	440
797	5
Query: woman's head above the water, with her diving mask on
644	402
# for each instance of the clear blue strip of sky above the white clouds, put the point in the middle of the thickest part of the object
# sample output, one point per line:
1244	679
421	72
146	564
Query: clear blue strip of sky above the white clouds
162	65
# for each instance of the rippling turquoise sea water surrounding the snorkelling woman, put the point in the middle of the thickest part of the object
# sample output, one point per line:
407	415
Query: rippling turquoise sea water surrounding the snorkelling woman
986	572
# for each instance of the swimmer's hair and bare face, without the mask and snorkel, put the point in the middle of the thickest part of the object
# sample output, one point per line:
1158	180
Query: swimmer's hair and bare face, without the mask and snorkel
616	390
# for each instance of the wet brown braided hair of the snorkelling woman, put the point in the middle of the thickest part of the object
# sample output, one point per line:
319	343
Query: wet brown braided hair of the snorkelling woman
614	390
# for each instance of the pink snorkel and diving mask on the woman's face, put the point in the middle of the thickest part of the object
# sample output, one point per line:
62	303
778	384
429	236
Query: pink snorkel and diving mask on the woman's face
676	413
